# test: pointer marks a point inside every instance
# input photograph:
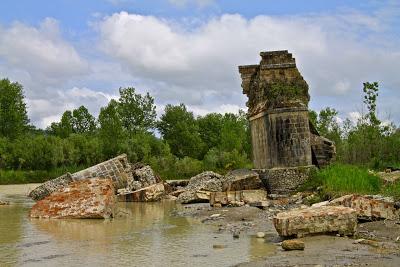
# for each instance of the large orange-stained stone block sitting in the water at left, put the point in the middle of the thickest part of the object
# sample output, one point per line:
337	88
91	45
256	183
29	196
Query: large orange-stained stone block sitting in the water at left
89	198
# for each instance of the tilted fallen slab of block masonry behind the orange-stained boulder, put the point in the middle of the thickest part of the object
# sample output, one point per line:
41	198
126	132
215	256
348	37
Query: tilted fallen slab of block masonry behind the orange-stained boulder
118	169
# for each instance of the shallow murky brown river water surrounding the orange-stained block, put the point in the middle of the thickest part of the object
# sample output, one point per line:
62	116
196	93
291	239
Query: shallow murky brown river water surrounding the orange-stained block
148	235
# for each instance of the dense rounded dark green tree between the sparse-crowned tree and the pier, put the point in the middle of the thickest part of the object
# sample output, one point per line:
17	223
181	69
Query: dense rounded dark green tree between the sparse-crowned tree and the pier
180	130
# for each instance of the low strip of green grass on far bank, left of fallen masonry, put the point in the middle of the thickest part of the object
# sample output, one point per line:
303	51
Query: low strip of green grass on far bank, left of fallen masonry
37	176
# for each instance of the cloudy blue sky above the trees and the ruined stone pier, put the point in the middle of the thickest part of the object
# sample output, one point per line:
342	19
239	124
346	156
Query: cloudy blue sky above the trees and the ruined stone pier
72	53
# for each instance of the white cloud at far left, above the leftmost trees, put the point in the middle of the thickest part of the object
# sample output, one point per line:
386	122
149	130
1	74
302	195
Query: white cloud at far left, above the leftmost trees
40	52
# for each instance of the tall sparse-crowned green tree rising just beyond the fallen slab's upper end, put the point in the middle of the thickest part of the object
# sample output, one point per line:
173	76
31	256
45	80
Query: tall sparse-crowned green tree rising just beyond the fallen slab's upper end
138	113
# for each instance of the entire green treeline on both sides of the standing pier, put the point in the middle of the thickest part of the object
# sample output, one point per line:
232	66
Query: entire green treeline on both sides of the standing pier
187	146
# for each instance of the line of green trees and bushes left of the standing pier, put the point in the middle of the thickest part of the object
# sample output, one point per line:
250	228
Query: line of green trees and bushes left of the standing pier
187	145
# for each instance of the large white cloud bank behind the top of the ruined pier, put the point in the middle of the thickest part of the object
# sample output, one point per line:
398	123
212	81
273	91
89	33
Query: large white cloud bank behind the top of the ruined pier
335	54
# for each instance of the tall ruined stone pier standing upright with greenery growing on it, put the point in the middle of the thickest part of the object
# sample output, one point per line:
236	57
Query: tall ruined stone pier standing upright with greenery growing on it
278	114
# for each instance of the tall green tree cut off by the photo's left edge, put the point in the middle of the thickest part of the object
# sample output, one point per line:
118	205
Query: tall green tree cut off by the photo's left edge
13	116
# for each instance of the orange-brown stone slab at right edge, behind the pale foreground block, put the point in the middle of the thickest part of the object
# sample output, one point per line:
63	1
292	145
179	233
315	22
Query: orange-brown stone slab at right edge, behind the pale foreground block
370	207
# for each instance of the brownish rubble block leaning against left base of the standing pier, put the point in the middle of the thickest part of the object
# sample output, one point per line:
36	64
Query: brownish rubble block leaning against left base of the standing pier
241	179
